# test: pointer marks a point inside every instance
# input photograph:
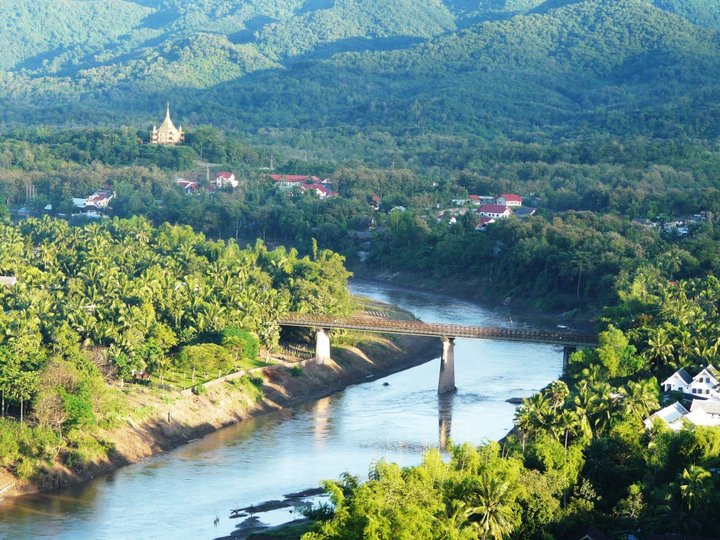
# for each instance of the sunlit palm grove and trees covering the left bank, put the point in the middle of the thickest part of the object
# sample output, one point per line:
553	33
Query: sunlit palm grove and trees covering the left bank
94	305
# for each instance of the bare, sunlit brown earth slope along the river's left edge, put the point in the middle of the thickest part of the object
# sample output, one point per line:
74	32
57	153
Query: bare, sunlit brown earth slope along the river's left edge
165	420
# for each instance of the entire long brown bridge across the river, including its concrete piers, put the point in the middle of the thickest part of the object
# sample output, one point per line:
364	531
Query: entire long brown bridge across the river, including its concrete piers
447	332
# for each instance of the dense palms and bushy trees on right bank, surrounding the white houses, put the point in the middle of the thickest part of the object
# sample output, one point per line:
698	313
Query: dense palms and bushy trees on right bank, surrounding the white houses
579	453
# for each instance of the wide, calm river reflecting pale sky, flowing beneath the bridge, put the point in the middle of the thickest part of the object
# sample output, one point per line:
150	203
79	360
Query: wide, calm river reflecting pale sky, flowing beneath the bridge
180	494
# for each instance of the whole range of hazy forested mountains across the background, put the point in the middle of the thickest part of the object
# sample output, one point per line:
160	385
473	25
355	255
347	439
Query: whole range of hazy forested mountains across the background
519	68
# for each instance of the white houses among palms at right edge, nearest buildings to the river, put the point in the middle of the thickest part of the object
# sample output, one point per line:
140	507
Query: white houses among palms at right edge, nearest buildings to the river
702	391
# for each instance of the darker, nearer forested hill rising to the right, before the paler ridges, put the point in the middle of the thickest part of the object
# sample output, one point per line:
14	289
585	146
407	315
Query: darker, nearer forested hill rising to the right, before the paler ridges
588	61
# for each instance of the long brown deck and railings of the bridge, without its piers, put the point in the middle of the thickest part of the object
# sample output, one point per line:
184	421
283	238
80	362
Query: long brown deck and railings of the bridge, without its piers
418	328
